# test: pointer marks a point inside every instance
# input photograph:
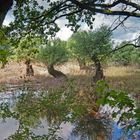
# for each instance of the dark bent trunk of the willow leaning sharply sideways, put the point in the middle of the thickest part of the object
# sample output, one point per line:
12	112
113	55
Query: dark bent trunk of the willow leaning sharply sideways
55	73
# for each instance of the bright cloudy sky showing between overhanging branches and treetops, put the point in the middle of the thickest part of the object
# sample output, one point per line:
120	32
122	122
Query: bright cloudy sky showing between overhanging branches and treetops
130	31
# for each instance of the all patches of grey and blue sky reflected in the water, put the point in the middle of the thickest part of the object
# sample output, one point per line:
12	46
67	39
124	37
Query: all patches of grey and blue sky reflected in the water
8	127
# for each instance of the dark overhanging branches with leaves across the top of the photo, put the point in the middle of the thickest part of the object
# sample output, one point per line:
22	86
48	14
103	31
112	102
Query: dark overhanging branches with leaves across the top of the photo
33	16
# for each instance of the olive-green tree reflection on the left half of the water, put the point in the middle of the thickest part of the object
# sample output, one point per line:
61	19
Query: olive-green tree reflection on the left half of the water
29	110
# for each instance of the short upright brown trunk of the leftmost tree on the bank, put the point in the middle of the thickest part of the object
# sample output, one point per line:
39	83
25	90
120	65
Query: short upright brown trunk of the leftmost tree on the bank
29	68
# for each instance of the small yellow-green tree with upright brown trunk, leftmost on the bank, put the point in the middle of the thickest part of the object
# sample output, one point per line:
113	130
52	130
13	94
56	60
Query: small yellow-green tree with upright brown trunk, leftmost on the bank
26	51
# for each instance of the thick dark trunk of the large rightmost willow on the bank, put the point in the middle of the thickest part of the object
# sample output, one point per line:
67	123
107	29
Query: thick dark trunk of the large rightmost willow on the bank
98	70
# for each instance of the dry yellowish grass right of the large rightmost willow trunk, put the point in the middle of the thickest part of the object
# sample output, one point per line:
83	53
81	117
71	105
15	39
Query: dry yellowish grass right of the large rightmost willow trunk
125	78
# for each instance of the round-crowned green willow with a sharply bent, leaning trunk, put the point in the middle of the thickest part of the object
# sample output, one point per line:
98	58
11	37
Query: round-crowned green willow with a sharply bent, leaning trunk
53	53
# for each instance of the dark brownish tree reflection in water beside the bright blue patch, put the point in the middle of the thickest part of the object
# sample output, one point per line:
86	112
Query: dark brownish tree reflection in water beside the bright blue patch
90	128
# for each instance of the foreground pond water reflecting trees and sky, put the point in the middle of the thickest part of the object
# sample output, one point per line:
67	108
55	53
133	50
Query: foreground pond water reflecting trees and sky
30	113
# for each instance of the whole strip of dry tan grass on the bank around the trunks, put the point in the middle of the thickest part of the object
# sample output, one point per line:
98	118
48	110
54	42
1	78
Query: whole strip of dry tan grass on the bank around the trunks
120	78
